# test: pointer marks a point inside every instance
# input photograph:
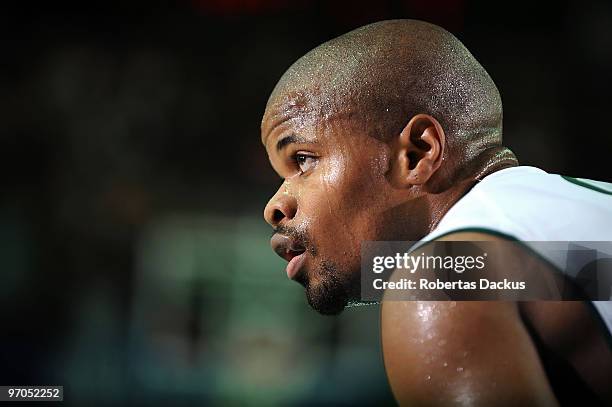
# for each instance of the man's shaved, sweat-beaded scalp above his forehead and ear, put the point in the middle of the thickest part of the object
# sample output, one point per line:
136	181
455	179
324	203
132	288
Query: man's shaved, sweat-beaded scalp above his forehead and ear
383	74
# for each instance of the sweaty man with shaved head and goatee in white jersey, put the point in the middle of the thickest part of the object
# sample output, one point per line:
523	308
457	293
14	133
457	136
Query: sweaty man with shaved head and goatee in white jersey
392	132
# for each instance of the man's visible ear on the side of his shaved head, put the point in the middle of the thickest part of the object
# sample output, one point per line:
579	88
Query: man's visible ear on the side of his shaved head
417	152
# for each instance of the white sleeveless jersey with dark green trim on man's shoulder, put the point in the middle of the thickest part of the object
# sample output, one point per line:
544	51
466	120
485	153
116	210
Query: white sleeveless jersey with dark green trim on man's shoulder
529	204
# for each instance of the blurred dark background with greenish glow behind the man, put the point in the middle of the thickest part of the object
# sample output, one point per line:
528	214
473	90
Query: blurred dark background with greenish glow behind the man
135	262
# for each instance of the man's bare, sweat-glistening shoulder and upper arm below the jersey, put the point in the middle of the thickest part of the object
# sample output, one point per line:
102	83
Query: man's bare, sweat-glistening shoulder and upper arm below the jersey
438	352
